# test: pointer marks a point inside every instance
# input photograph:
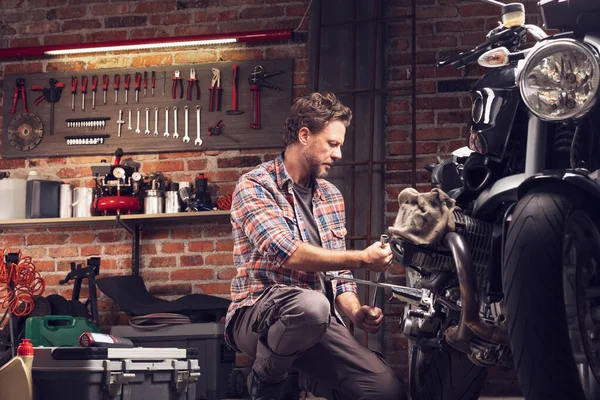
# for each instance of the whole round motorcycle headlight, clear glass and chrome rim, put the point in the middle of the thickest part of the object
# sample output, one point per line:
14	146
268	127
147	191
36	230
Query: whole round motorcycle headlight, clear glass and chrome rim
559	80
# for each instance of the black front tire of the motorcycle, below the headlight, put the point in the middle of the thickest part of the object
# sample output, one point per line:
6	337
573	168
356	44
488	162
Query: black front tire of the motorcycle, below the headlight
534	291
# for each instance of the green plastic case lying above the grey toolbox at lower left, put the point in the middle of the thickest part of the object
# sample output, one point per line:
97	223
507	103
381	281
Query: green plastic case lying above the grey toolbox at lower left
57	330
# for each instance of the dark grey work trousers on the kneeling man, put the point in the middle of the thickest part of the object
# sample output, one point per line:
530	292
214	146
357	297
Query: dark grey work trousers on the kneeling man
290	327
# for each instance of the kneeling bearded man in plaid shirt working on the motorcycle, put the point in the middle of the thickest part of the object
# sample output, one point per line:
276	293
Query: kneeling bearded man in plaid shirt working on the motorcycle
288	230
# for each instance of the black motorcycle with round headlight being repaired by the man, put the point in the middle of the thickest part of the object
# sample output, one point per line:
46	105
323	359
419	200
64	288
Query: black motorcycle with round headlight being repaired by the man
517	283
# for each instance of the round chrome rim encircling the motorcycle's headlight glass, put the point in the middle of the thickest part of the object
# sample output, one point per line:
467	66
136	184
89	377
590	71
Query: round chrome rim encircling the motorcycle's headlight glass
546	49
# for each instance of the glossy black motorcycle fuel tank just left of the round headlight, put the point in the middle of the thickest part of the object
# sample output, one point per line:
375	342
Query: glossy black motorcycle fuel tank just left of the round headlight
495	100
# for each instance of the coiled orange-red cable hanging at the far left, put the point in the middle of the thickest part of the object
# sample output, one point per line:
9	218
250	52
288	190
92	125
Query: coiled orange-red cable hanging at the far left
27	283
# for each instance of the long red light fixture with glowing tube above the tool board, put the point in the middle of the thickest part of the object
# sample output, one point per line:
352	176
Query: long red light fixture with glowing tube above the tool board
146	44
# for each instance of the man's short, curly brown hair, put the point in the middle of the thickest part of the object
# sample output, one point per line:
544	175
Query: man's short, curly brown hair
314	112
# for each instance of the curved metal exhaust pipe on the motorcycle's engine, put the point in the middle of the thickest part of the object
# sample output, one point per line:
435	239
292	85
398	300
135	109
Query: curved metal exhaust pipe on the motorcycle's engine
458	336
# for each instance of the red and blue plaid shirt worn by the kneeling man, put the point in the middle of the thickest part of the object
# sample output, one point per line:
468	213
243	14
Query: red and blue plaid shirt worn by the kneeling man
267	229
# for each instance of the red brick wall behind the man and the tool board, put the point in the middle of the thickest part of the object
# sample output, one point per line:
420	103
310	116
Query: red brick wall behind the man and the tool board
185	259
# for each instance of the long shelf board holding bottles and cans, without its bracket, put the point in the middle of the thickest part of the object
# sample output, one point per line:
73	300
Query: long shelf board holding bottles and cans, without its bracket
131	219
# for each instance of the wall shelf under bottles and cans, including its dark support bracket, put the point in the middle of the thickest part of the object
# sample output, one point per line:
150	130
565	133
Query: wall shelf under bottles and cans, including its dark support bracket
133	223
